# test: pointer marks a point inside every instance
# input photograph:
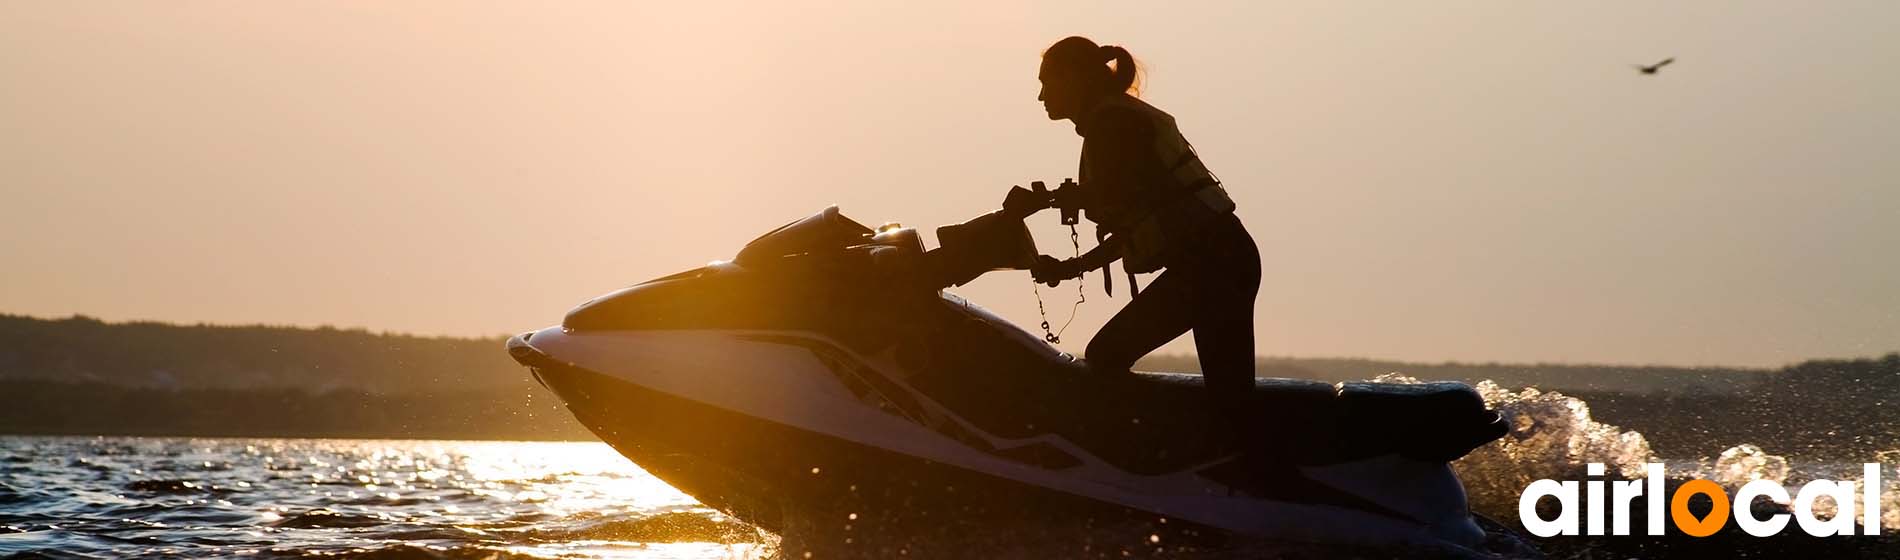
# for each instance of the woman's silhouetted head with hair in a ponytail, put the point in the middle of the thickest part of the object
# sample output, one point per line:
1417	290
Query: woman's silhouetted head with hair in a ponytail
1076	73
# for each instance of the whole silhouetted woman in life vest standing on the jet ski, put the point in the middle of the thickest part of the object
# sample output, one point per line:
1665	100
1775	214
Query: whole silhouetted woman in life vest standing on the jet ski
1160	210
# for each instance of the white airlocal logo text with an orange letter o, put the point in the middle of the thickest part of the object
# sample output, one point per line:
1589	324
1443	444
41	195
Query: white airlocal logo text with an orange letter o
1622	493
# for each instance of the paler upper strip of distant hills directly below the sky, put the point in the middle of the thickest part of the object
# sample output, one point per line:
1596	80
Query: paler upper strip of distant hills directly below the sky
322	360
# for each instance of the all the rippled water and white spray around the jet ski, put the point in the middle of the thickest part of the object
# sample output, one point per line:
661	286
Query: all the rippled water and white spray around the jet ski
286	498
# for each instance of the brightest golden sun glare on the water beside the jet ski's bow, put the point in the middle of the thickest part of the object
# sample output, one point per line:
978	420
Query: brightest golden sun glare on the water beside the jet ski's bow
552	500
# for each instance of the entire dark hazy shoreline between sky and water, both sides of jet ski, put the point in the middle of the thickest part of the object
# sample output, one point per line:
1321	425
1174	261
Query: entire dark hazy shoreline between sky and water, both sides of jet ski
86	377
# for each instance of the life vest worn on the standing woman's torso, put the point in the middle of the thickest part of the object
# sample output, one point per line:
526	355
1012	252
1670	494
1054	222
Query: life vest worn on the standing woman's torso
1154	215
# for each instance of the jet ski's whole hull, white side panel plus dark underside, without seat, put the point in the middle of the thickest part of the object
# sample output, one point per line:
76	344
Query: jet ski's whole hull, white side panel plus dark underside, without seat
808	458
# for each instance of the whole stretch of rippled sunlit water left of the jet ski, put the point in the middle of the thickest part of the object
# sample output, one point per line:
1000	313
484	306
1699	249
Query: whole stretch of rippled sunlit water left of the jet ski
278	498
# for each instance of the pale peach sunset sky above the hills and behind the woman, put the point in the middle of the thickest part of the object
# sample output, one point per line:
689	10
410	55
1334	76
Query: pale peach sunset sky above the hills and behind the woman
1428	181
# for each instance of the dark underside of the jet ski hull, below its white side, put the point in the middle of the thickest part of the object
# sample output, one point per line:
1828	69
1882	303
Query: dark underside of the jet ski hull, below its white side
788	479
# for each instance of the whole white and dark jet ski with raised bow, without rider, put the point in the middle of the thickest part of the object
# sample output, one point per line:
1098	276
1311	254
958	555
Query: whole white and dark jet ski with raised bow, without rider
826	381
